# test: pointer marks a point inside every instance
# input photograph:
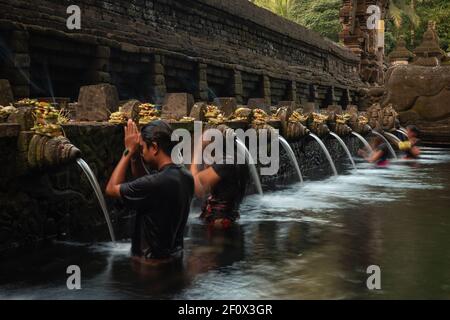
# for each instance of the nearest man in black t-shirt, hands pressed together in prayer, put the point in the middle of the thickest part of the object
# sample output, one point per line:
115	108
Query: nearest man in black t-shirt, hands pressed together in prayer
162	200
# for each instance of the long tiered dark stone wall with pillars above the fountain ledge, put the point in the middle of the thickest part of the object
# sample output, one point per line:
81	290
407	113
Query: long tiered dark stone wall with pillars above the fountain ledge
149	48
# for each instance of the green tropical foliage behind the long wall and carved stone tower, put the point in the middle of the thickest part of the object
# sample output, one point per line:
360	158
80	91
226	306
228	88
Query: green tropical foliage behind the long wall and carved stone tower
406	17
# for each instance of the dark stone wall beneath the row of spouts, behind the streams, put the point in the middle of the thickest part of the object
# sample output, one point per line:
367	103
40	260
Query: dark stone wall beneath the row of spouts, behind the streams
58	202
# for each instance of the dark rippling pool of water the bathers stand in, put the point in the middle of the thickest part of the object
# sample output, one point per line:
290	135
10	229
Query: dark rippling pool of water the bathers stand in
302	242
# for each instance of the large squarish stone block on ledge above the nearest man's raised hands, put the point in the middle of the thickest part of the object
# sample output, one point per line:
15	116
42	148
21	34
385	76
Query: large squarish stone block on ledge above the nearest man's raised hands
97	102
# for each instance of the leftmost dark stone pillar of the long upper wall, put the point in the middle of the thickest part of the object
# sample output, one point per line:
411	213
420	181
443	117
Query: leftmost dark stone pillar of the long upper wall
18	64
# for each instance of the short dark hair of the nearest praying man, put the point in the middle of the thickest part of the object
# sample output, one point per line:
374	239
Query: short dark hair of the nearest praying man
159	132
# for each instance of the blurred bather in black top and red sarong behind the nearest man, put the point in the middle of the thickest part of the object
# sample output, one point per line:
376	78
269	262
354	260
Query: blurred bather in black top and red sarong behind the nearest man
224	185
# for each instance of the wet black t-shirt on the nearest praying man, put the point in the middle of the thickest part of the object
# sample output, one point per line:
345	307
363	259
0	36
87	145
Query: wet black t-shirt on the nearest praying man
162	202
